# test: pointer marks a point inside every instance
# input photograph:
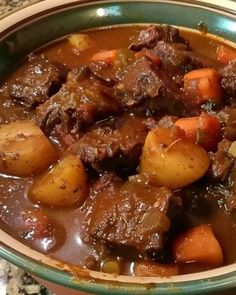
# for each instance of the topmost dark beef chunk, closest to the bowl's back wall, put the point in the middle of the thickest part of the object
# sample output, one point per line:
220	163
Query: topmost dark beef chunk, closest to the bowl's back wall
148	37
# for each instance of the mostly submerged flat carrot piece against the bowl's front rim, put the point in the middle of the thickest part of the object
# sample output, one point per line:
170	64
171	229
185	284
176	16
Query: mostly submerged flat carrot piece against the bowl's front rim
151	269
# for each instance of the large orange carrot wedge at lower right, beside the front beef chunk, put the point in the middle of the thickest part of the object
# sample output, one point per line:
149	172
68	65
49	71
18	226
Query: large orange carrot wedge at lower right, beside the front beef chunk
199	244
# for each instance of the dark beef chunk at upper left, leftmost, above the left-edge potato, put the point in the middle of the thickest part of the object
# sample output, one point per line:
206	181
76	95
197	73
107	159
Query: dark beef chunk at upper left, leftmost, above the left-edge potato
39	80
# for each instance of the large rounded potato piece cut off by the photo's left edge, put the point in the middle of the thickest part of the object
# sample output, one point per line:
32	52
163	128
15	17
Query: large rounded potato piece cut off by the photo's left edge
24	149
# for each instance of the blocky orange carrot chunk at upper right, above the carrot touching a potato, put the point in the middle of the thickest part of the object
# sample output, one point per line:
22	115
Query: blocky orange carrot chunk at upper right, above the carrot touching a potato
203	85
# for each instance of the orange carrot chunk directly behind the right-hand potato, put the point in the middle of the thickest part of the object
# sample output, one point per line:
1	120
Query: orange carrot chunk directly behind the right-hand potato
204	130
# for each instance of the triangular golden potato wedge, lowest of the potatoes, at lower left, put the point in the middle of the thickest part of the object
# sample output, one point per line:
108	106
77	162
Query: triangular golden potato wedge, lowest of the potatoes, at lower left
65	184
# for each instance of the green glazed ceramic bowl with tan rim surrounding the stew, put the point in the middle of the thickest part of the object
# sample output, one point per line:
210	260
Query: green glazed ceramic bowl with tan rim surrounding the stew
41	23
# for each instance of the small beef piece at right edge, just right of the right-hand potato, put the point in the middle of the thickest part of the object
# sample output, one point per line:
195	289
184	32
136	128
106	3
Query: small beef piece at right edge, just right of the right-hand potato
222	161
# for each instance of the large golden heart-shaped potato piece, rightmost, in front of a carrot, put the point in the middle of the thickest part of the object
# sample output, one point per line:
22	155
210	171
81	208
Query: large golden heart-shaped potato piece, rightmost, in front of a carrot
172	162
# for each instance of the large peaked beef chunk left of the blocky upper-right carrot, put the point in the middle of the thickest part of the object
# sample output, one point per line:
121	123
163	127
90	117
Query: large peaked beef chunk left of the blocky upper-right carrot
143	81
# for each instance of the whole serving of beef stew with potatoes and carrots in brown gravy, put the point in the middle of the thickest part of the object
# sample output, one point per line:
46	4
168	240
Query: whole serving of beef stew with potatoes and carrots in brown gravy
118	148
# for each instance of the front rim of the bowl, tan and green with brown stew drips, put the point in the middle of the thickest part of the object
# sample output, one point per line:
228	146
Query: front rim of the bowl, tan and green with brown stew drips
50	269
